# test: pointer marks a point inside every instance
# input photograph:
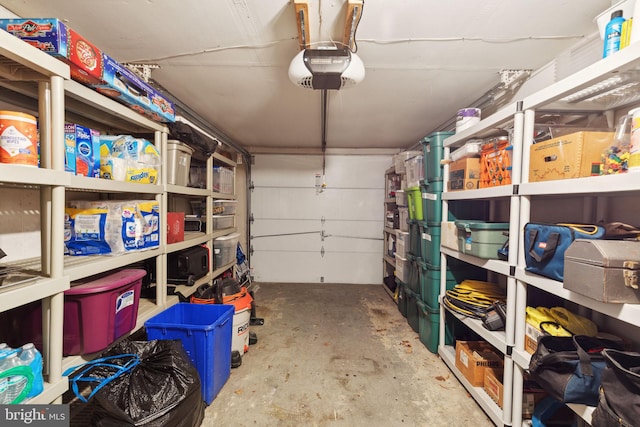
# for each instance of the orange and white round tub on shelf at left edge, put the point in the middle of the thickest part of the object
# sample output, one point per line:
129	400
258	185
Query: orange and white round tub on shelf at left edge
18	138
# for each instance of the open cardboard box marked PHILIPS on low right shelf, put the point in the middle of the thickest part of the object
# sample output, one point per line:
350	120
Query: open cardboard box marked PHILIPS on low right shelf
473	357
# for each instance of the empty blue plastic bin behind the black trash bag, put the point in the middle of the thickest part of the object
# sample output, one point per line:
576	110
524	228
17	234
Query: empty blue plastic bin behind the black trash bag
205	331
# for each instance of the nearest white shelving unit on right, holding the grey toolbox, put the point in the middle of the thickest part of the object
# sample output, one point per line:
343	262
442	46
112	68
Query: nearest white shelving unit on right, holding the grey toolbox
603	87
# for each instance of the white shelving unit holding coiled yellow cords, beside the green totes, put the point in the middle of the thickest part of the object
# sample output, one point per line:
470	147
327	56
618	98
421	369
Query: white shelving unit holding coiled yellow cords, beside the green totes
507	120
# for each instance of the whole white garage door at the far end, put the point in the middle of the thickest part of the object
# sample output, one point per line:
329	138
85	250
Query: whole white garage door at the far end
301	234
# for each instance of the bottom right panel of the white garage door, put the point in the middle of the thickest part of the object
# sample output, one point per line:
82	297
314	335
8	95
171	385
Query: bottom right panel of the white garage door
361	268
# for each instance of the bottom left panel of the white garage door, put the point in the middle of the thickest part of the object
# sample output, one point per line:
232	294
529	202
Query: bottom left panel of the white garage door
288	267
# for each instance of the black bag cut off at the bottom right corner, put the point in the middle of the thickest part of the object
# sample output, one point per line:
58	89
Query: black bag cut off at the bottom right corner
620	393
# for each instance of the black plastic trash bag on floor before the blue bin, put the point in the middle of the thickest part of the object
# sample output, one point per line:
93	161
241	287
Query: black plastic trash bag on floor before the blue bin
163	390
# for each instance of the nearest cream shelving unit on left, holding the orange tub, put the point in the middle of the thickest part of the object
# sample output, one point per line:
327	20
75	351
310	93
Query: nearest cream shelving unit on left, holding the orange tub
44	75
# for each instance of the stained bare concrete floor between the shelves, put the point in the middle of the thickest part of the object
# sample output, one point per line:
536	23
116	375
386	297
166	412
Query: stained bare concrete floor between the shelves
339	355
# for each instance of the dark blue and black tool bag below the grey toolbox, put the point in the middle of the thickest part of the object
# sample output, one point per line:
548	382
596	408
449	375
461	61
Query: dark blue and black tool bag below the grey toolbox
570	368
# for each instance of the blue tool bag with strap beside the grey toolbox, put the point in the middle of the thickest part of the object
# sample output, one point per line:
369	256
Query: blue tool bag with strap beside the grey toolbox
545	244
